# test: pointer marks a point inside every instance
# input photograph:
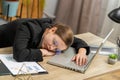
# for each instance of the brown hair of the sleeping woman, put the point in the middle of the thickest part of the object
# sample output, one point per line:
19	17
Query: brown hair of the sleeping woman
65	33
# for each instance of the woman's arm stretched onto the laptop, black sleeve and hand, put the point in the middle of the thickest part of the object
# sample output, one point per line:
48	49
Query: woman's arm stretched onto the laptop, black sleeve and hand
82	50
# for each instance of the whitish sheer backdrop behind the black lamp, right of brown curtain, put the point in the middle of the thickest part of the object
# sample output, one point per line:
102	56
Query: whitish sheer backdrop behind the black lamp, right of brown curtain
109	24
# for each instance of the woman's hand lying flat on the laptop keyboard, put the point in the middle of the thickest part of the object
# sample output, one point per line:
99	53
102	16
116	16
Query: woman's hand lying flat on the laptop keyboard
81	57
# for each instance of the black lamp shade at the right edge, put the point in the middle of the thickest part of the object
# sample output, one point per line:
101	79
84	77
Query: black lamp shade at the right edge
115	15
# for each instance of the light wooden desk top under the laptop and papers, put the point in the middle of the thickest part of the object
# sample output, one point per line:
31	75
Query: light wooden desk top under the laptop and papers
98	66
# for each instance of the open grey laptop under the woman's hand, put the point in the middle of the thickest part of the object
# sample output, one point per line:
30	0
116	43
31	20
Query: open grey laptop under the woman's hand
64	59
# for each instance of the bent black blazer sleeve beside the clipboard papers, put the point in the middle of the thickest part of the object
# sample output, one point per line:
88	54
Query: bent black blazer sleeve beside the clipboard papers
21	51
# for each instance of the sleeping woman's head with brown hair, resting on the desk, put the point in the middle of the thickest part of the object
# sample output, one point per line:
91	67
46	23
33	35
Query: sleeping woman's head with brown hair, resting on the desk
58	36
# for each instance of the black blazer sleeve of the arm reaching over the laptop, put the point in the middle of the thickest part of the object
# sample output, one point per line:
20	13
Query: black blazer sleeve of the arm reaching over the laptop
79	43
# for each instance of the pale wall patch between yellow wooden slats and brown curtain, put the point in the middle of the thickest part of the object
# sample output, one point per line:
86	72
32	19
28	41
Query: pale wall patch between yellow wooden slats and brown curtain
50	7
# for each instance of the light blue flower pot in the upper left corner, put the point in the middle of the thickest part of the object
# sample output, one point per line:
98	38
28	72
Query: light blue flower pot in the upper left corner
10	11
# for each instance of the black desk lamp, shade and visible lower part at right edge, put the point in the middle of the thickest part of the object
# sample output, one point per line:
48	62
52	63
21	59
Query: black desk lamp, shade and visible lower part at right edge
114	15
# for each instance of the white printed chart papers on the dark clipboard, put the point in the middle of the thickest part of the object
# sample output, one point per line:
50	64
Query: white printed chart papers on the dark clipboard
17	68
